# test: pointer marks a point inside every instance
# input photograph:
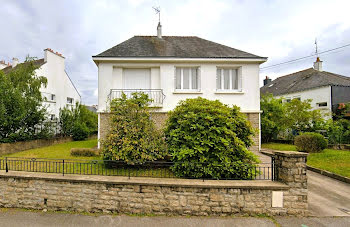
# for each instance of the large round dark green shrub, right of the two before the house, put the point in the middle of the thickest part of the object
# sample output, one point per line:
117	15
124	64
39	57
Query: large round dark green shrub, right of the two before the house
208	139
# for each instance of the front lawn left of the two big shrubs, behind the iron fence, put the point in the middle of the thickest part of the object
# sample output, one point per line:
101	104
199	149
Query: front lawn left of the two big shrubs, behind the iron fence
73	165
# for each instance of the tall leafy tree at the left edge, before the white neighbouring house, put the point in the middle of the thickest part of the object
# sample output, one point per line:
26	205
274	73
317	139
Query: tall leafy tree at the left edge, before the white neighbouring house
20	102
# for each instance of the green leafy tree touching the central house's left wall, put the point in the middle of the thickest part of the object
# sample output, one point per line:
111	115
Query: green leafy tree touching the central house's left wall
73	119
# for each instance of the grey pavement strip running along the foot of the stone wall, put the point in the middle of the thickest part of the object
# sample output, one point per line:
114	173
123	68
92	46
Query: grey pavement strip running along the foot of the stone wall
14	217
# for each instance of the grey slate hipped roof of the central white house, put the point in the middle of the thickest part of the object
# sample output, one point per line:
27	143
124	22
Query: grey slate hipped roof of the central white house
173	46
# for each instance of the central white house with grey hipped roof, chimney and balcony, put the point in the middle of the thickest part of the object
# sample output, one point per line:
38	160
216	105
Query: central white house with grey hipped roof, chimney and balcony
174	68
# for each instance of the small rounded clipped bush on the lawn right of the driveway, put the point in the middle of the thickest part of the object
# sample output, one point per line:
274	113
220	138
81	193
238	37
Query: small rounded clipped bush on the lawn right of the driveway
310	142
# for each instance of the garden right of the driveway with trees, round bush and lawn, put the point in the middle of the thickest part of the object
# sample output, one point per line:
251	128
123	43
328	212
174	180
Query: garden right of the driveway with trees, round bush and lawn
302	129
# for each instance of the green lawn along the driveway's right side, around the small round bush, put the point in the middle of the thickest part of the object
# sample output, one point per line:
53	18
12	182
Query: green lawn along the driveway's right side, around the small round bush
335	161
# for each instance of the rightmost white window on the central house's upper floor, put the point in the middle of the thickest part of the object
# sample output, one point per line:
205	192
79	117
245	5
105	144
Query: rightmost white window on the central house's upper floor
228	79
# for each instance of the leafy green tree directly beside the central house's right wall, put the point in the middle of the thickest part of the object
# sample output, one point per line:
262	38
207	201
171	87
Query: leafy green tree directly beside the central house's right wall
272	117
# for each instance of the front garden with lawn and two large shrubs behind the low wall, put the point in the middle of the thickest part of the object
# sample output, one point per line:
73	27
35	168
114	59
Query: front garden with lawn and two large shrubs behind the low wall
203	139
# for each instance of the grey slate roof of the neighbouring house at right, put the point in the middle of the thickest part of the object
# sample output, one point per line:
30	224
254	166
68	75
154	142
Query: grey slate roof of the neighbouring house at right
304	80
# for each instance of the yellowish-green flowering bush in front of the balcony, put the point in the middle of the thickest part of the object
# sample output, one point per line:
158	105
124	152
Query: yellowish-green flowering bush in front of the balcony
133	137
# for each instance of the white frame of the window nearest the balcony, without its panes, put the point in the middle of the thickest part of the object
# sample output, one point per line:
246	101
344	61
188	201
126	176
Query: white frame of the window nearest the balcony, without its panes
190	85
